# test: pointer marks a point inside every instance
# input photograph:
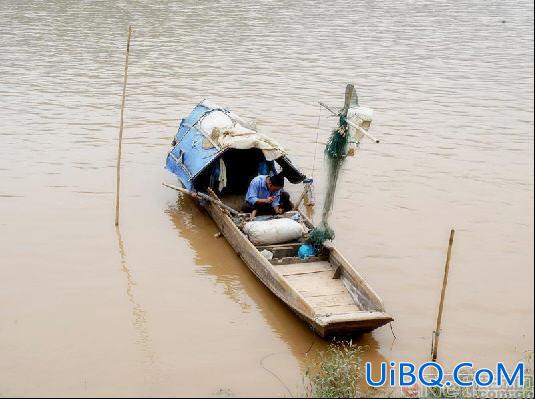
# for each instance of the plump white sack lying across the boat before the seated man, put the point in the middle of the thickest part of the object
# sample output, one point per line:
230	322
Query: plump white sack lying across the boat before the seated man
274	231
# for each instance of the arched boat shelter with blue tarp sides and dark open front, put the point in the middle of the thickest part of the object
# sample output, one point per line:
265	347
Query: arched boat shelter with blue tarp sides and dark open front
216	148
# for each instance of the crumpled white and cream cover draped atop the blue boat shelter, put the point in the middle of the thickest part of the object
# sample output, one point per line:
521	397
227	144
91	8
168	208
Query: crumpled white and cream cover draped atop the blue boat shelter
227	130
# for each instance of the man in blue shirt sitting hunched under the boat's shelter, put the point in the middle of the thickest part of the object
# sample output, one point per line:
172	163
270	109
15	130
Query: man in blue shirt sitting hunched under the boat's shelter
266	197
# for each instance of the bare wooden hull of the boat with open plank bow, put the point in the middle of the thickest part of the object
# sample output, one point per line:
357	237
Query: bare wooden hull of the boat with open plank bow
291	287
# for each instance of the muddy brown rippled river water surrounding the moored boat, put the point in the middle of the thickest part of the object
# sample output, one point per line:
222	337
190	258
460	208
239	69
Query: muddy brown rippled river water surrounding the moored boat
160	306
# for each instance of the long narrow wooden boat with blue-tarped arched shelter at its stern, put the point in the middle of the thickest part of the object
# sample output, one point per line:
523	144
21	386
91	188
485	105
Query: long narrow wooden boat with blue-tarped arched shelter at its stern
215	155
